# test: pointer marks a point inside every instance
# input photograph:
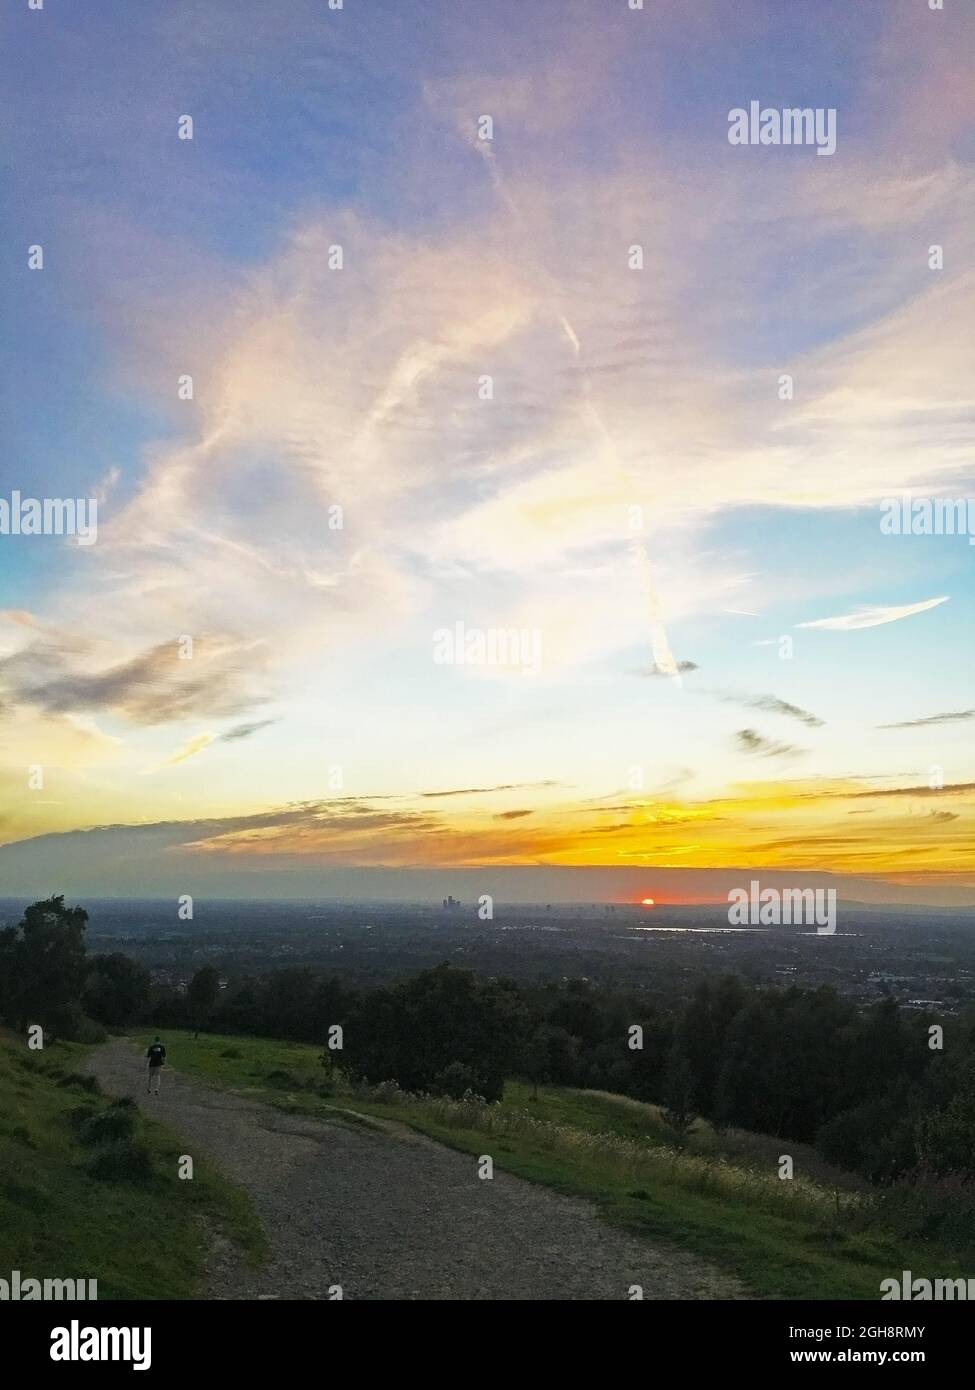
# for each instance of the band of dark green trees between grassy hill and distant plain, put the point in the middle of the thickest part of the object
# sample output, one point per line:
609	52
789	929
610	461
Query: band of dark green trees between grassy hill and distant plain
883	1092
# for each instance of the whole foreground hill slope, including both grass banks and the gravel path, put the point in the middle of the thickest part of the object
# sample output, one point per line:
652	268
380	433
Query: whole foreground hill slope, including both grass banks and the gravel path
90	1188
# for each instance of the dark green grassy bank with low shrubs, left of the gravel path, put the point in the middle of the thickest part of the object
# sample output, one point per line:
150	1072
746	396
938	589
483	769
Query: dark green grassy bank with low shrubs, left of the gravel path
138	1229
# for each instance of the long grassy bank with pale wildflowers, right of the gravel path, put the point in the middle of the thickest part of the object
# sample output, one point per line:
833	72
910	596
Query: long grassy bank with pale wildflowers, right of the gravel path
816	1236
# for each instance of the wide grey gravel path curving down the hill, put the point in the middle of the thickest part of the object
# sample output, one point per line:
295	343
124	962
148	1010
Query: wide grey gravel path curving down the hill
389	1214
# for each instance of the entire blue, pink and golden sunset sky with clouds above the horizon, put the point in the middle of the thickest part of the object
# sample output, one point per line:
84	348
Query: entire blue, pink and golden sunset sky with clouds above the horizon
312	728
